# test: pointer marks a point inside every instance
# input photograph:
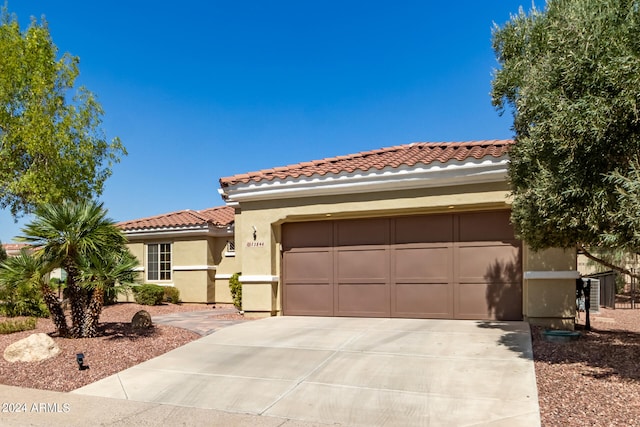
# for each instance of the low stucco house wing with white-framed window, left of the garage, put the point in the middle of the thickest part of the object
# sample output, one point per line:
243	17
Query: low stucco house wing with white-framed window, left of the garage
192	250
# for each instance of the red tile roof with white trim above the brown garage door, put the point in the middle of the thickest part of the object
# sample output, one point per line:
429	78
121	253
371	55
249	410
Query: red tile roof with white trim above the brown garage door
416	165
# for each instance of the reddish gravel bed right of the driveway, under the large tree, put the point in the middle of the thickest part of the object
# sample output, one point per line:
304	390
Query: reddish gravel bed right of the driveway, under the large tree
595	380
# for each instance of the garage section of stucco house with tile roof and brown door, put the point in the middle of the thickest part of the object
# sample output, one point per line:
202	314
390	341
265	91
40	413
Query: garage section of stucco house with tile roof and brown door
419	230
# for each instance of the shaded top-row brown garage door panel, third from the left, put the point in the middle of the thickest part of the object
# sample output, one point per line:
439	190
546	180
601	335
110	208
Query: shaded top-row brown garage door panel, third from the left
424	229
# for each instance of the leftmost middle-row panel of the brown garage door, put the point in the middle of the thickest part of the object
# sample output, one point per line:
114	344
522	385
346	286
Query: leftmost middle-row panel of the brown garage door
309	265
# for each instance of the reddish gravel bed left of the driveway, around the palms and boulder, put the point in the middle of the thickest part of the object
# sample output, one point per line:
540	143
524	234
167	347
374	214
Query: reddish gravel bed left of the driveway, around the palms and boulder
117	349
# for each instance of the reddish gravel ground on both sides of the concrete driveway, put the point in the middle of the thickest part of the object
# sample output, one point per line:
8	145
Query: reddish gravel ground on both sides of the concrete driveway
594	381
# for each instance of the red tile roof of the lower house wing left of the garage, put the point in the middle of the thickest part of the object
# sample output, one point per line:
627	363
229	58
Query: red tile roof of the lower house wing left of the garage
219	217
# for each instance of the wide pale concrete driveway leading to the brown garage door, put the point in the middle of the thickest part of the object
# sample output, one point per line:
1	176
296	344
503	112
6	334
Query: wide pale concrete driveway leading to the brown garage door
347	371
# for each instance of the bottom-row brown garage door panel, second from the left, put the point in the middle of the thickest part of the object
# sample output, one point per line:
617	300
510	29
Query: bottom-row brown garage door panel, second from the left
363	299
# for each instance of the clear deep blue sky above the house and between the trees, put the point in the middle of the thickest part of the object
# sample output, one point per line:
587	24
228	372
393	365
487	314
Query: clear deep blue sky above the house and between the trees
199	90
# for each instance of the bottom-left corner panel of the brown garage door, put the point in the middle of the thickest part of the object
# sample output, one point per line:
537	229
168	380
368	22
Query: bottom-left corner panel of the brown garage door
309	299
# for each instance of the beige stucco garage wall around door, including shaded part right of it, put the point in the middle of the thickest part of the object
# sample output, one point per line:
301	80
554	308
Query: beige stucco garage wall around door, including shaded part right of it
548	302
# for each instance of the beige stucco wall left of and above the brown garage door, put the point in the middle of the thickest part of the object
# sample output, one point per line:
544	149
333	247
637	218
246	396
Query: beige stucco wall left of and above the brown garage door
260	258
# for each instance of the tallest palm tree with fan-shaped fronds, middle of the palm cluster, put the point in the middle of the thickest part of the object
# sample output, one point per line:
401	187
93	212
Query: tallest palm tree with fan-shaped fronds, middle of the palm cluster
69	236
